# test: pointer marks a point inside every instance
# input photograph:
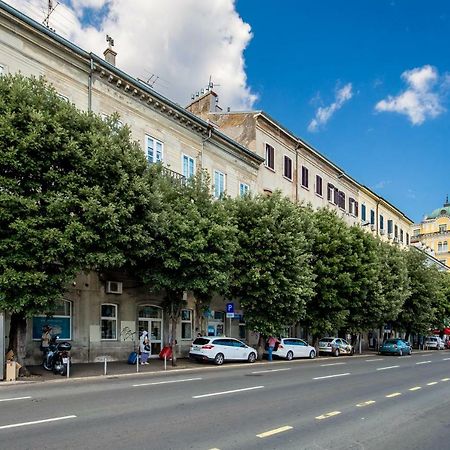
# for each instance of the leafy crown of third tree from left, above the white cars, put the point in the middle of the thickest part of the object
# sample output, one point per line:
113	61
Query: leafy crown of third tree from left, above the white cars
272	276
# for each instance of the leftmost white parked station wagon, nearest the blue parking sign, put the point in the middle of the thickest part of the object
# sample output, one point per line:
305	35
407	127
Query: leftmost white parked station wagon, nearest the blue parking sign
221	349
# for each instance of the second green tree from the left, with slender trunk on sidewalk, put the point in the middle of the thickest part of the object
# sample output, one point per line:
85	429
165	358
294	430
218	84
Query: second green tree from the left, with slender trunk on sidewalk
194	243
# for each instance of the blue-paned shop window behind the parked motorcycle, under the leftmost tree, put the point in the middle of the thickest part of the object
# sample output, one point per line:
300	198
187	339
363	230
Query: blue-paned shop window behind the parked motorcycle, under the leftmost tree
60	321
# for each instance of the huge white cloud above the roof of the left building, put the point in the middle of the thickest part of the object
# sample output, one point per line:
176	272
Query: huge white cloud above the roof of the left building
182	42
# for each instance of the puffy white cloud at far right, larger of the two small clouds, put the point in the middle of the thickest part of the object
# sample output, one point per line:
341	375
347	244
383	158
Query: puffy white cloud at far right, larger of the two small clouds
421	100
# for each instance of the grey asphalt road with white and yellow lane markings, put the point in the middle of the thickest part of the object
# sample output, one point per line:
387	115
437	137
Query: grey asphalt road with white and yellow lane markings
370	402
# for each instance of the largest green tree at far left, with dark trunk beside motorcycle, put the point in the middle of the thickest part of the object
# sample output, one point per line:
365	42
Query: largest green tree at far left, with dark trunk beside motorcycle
71	196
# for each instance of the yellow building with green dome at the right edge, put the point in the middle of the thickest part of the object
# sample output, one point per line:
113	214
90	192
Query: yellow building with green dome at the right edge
434	233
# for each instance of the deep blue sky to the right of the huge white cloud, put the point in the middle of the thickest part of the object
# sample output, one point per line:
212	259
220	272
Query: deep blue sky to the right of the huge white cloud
303	53
